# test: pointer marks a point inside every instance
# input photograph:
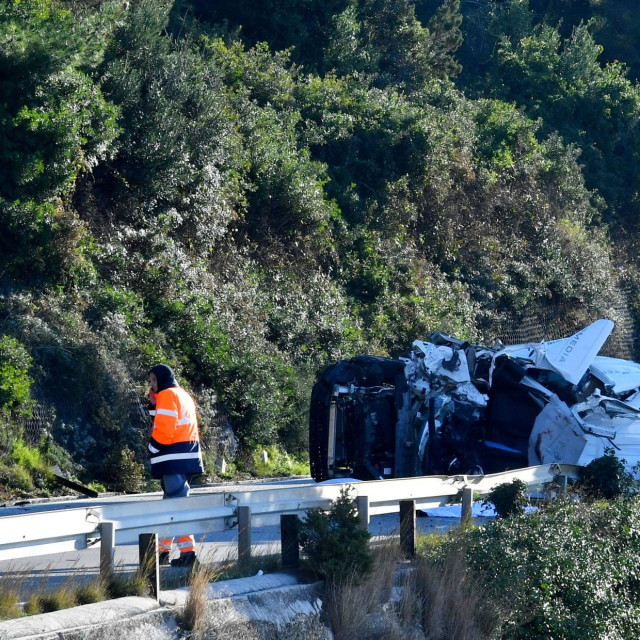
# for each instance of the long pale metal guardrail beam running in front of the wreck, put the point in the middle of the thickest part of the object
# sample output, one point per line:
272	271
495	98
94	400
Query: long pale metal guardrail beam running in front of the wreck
57	531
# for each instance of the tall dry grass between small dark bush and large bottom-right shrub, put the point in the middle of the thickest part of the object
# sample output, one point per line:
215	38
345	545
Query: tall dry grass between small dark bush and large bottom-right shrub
433	600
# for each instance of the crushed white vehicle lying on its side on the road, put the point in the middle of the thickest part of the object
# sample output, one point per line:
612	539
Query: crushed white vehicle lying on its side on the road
450	407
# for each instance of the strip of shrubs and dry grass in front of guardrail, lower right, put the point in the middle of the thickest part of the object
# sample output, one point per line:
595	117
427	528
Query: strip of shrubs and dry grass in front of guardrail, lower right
568	569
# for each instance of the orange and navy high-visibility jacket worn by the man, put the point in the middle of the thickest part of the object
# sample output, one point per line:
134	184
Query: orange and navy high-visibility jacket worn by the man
175	442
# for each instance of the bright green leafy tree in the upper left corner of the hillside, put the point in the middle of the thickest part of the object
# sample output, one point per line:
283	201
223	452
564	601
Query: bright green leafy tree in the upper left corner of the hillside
55	125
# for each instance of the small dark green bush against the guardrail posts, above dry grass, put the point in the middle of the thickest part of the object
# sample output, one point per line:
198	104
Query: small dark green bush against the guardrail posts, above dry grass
335	546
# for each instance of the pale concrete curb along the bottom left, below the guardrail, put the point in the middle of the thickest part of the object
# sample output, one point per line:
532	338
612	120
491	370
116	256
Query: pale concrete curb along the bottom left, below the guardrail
257	607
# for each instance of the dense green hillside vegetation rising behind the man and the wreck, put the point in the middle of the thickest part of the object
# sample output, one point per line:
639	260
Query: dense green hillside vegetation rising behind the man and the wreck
249	191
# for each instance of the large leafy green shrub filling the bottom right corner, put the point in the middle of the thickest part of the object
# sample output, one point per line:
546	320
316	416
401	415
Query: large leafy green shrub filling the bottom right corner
568	571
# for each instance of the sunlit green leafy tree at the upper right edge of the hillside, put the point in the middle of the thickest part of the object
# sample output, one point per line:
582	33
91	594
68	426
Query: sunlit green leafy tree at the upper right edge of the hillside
593	105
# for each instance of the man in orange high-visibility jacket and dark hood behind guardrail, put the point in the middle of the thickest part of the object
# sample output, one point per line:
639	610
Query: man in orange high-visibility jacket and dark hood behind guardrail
175	449
